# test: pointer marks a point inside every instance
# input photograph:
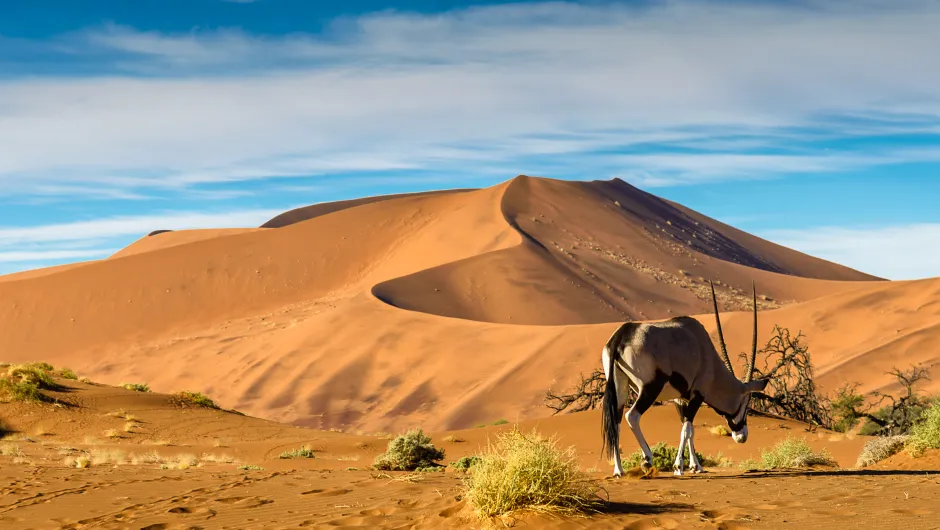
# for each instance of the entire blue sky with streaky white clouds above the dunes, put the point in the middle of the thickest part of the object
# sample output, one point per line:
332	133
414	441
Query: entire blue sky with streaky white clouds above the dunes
815	123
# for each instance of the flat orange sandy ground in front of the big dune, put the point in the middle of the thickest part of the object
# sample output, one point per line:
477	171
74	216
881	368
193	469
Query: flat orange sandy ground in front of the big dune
135	480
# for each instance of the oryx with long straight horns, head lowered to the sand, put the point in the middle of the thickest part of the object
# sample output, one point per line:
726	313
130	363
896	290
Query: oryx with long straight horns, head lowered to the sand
679	352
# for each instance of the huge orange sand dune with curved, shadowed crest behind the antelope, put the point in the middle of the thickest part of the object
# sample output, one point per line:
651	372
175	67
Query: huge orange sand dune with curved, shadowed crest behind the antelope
443	309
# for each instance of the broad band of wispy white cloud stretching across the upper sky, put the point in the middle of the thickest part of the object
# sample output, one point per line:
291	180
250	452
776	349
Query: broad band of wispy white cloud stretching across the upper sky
499	87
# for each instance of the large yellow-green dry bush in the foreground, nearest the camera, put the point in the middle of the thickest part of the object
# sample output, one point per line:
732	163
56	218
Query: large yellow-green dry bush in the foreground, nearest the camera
526	472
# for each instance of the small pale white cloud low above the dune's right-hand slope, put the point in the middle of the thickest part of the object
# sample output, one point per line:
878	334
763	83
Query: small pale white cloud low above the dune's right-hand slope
902	252
